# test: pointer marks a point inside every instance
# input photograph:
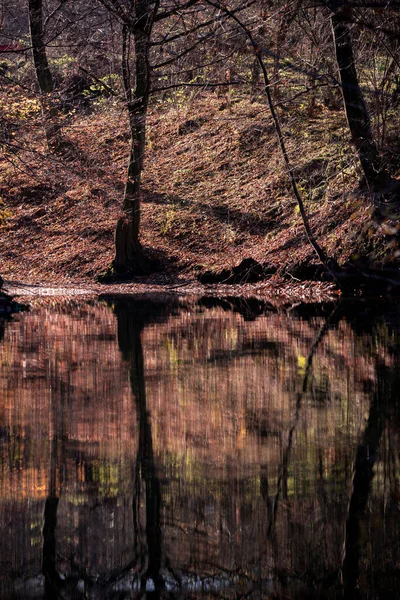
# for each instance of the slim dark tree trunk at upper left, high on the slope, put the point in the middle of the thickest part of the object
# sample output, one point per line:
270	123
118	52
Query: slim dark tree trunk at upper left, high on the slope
43	73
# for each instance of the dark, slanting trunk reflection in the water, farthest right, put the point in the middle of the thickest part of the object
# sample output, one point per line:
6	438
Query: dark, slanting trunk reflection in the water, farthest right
363	475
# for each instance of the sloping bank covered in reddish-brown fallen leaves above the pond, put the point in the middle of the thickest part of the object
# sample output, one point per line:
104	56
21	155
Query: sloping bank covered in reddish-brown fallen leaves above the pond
215	194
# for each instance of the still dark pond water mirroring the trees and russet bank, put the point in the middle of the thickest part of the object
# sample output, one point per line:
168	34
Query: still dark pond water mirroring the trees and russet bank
163	450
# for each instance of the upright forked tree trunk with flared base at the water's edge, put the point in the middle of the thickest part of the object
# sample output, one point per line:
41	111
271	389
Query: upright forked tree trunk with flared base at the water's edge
127	243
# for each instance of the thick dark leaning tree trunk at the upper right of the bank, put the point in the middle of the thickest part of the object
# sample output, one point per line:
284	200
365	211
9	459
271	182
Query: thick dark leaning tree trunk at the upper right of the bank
378	179
